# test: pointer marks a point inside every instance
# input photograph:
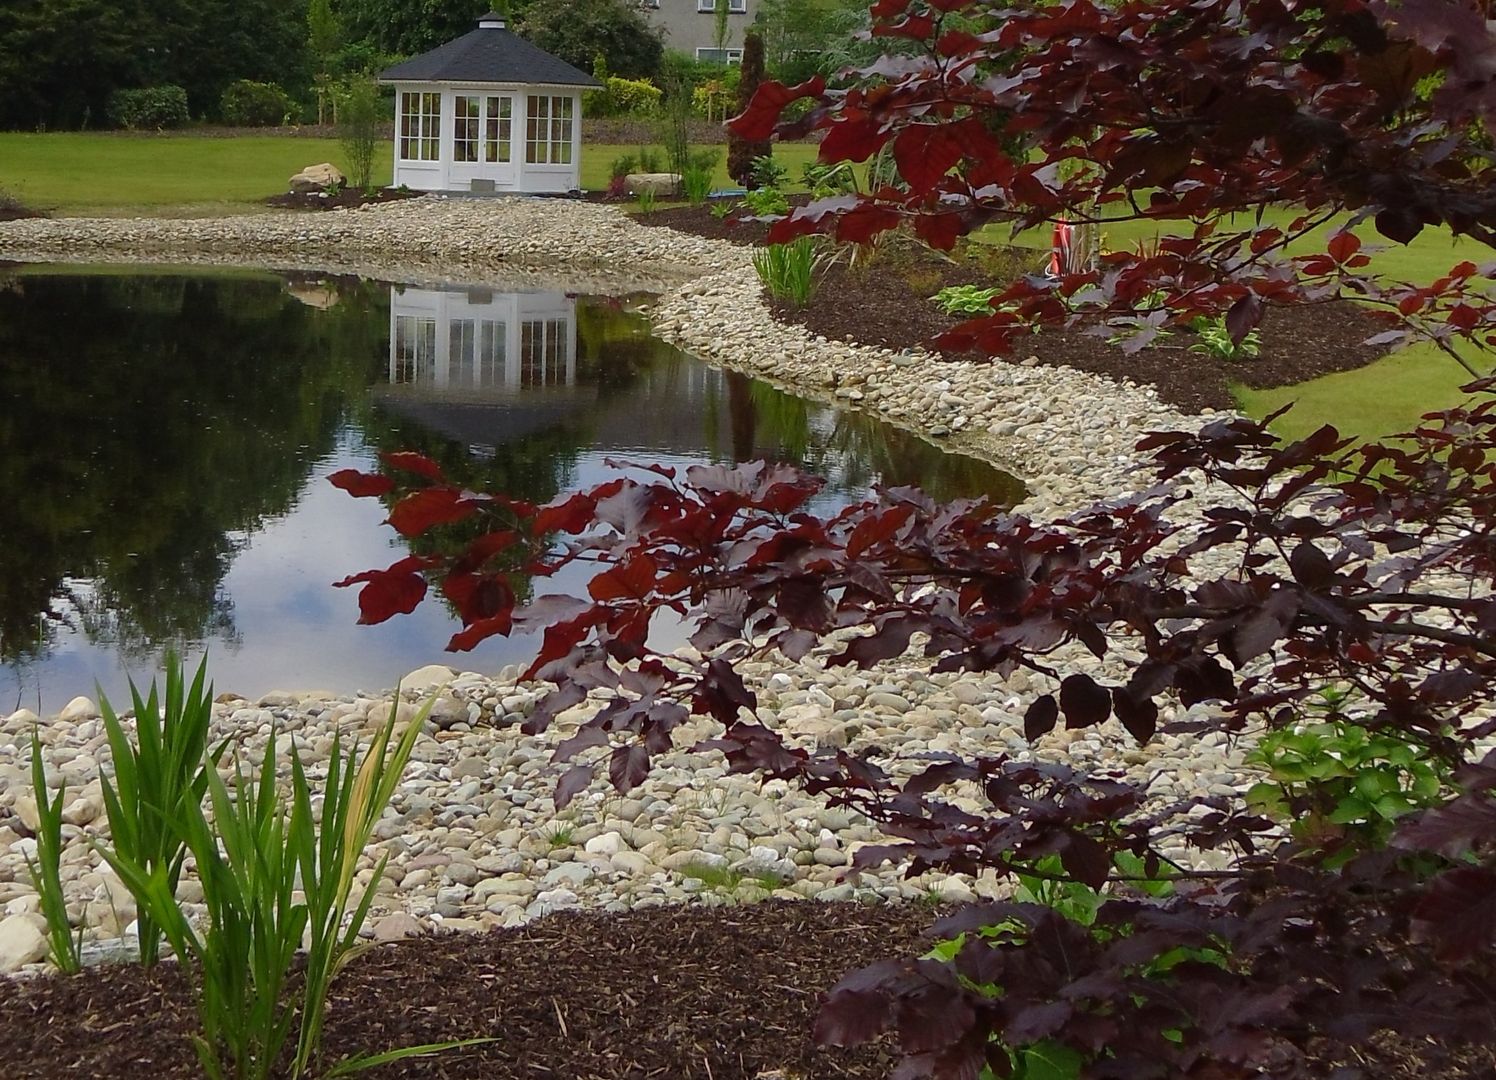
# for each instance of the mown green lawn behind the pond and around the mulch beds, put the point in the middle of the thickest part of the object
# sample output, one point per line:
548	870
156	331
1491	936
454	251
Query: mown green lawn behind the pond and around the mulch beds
108	174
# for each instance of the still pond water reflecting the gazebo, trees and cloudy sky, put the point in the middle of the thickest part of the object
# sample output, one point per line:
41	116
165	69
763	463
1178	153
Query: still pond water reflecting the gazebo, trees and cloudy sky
165	441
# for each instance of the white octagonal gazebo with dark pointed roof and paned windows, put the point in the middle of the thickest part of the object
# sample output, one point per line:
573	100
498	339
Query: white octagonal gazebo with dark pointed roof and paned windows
488	113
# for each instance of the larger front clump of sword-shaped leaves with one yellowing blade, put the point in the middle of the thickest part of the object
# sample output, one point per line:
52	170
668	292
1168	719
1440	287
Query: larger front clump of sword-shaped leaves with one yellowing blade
275	874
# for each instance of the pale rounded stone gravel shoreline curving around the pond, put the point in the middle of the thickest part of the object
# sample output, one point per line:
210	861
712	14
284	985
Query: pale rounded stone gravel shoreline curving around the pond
473	835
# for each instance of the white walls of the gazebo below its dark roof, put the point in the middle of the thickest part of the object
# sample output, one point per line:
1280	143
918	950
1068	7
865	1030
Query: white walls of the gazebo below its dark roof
517	176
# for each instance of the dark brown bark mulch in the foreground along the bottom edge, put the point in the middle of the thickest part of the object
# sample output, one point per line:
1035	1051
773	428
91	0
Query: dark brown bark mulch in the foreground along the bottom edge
713	994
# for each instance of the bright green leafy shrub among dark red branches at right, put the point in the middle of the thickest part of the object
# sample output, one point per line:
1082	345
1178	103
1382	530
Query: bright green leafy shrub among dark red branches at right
1340	786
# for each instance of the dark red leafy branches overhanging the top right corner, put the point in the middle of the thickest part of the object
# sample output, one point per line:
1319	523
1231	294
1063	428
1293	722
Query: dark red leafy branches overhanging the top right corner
1355	113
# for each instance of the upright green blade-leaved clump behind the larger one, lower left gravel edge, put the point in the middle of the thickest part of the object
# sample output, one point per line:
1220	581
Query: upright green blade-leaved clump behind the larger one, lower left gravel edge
159	782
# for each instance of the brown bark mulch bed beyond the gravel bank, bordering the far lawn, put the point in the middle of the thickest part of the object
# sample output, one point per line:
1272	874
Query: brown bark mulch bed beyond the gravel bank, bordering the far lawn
889	307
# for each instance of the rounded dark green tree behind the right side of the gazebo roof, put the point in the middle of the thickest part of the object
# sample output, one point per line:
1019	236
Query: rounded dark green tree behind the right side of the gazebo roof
578	31
